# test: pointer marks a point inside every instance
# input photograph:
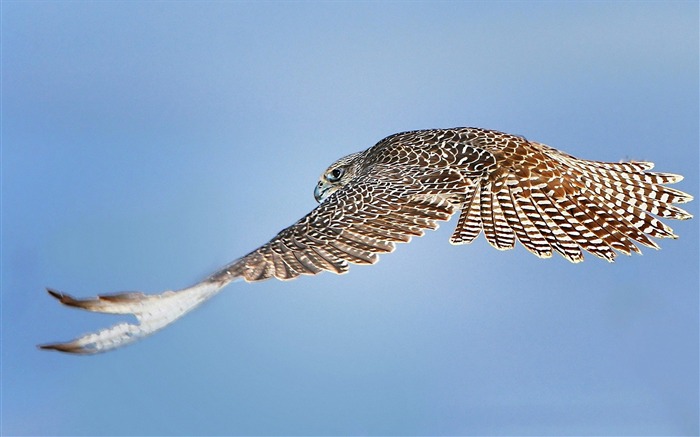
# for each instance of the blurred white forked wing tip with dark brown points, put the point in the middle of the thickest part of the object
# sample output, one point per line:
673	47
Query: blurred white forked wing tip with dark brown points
153	312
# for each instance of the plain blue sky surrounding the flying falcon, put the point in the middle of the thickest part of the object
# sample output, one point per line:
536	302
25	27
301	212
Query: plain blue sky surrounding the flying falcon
146	144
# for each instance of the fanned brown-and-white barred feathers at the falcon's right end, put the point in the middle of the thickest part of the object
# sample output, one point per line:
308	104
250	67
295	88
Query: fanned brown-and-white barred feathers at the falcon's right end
551	201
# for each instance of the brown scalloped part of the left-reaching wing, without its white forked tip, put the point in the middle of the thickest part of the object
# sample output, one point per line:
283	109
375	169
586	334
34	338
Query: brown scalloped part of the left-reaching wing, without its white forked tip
354	225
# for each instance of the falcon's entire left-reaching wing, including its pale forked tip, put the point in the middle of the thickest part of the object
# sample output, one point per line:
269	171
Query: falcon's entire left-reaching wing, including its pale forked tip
354	225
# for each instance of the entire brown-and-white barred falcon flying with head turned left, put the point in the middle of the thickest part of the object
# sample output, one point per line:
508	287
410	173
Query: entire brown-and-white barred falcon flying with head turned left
503	185
